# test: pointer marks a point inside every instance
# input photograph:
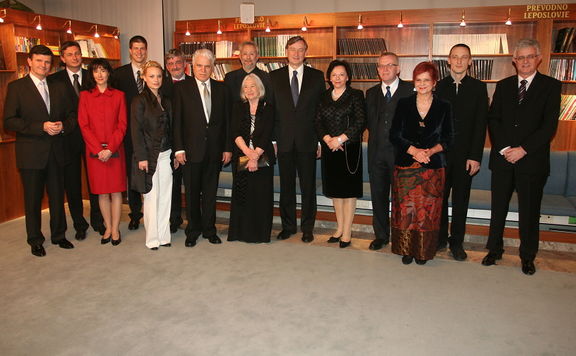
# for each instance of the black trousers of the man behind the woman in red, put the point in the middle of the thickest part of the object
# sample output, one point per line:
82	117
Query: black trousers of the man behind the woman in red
73	189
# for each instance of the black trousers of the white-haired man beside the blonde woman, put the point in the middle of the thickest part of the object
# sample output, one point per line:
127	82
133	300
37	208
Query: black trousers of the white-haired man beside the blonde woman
201	183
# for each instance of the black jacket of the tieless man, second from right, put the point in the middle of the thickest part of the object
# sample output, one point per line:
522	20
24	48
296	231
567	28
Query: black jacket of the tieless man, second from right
470	107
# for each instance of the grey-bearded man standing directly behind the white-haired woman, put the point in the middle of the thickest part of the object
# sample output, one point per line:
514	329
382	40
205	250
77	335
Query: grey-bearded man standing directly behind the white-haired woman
248	57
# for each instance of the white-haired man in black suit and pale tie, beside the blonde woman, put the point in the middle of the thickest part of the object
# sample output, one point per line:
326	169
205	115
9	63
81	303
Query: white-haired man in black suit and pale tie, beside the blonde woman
201	144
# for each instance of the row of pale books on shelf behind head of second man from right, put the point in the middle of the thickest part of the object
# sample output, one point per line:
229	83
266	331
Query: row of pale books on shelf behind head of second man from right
481	43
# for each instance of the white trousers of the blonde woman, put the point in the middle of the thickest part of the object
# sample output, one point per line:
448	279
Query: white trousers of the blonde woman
157	203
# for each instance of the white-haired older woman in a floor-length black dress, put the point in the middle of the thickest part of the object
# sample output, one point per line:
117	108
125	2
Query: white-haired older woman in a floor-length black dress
252	163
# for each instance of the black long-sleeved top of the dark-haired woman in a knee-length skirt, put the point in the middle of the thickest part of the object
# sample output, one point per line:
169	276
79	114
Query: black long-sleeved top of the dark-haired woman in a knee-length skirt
346	115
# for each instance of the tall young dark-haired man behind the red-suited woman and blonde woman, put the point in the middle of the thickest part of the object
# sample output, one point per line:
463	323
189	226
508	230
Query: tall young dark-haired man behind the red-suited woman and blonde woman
127	78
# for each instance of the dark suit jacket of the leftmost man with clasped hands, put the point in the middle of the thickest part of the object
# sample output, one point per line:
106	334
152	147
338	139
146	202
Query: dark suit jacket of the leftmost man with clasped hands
25	113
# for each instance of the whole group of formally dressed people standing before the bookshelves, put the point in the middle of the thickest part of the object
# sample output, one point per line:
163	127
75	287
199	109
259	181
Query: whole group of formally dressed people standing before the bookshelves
146	131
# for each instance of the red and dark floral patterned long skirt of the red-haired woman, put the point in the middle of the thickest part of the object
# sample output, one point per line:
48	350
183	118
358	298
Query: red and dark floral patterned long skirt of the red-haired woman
417	194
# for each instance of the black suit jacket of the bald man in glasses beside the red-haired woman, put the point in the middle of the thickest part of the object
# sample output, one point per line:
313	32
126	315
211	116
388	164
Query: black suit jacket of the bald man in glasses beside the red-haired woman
379	115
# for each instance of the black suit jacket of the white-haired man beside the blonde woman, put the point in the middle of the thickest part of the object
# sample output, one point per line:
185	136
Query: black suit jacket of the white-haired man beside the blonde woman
201	139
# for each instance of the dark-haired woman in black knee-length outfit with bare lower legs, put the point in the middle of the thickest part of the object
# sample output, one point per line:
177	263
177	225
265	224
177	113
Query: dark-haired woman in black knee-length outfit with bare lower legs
340	121
